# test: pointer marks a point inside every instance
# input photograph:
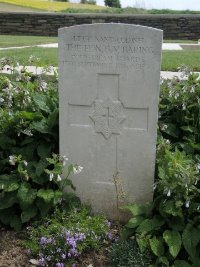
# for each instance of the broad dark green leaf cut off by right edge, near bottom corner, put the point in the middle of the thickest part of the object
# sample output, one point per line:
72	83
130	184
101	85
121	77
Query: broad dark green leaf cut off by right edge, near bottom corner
191	237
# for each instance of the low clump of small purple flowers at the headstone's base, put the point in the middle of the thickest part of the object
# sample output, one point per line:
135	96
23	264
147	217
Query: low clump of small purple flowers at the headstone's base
62	238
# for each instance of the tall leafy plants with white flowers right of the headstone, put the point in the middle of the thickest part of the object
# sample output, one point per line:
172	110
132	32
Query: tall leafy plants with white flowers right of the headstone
170	226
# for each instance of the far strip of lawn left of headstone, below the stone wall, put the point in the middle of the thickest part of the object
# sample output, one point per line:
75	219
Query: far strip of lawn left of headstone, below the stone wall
15	40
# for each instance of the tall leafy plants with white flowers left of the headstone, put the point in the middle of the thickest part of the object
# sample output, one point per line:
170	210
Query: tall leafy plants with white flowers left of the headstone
30	177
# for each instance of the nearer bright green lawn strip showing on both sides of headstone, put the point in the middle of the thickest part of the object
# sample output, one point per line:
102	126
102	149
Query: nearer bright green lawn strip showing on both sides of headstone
171	60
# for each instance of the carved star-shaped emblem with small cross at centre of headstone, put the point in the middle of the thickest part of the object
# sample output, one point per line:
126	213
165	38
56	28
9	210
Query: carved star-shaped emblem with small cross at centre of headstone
107	117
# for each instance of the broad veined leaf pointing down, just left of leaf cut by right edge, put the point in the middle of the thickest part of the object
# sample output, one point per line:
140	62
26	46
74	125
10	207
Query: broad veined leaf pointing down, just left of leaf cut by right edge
173	240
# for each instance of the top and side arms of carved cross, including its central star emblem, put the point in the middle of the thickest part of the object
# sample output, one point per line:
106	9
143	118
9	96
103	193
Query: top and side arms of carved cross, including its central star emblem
108	113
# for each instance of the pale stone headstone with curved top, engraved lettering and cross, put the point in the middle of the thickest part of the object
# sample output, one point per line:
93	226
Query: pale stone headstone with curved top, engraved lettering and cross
109	90
